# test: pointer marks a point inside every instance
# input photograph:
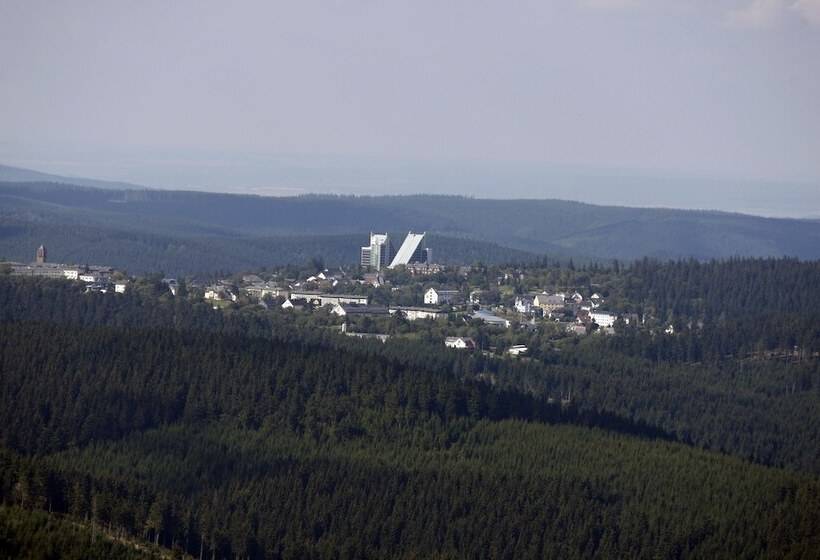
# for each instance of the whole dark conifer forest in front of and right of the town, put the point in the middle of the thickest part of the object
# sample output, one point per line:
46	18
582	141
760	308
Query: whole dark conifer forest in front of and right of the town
262	434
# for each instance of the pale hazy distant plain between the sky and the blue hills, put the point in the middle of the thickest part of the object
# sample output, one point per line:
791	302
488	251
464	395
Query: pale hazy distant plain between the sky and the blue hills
635	188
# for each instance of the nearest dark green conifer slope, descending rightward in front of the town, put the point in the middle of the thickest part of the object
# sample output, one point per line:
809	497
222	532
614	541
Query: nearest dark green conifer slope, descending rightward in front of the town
243	434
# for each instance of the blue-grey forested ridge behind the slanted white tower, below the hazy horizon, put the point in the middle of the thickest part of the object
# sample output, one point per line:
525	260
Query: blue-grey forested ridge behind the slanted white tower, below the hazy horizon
558	228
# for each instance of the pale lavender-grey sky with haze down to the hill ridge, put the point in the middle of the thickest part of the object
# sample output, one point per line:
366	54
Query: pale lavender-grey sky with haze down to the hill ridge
618	101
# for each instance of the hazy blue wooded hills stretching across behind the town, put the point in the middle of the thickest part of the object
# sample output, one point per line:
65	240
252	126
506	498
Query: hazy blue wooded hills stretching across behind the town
156	228
